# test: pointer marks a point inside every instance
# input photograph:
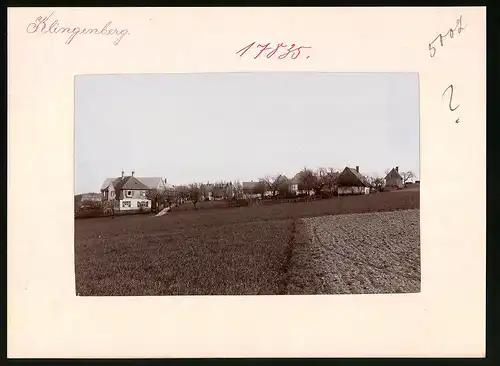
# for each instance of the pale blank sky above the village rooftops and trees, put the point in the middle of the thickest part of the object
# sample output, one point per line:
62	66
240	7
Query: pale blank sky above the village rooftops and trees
243	126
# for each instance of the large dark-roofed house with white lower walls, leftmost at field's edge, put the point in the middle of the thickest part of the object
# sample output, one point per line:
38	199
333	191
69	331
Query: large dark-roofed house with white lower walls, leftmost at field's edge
130	193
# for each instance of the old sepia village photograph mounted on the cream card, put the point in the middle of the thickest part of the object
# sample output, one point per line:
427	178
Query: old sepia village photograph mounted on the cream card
264	183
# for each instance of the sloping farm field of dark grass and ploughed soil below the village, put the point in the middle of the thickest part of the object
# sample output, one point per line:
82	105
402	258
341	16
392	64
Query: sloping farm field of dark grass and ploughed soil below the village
265	249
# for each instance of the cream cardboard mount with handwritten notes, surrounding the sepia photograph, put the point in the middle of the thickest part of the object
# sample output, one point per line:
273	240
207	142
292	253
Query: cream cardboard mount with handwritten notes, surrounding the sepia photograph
46	319
